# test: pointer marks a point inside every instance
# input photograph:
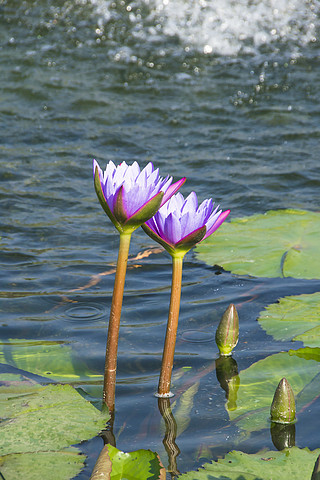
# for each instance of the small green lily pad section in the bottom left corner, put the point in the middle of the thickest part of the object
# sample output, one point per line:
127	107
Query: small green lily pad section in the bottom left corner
61	465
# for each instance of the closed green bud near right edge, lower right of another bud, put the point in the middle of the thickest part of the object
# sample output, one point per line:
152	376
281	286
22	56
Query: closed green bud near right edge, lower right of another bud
283	408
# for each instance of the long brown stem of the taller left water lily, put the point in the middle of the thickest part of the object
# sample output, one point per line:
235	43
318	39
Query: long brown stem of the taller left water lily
109	385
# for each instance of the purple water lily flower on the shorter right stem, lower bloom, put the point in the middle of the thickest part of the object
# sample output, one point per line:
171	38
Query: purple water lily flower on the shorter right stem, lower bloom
181	223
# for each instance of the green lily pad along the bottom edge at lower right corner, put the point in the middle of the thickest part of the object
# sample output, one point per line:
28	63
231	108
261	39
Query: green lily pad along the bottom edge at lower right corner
265	465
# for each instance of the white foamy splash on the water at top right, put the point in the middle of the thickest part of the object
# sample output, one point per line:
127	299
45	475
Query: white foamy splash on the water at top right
224	27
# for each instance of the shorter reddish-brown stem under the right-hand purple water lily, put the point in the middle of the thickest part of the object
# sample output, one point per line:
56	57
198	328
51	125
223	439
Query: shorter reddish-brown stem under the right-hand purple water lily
172	326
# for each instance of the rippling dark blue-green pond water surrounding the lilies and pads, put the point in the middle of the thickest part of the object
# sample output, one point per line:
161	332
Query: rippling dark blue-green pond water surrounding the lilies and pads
224	93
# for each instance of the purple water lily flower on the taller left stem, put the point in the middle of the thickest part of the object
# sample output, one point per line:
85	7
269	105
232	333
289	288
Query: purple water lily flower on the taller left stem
131	196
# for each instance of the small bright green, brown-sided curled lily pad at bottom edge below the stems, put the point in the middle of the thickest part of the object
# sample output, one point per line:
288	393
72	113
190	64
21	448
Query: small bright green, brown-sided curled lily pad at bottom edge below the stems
113	464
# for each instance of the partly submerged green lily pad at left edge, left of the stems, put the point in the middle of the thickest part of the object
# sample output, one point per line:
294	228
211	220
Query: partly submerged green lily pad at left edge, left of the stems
49	359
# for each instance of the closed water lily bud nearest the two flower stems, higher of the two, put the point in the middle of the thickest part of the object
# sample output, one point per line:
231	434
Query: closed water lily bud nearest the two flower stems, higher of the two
227	333
